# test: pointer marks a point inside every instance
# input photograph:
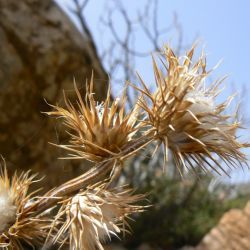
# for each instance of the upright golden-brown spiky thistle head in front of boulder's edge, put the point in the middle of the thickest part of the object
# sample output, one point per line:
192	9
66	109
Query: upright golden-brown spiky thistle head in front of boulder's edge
98	131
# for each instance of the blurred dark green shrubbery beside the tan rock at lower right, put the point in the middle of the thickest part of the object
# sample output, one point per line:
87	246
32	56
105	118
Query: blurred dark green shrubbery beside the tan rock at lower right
183	212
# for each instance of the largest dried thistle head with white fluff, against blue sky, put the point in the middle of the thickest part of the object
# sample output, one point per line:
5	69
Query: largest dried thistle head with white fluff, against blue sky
184	117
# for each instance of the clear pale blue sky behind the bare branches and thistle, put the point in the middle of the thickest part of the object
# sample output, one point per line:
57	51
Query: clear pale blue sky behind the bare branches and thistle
222	26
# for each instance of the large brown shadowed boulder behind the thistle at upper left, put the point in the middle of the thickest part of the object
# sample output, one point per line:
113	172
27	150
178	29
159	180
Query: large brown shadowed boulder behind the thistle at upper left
41	52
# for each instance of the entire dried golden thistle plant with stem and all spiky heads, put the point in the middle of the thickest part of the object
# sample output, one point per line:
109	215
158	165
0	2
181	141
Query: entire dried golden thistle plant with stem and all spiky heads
181	114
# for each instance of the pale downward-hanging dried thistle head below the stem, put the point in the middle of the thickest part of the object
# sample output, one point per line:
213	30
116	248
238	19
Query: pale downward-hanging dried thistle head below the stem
96	214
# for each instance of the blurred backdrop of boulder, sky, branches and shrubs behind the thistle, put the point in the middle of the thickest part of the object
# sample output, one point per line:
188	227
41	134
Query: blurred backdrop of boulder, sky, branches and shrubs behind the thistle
46	44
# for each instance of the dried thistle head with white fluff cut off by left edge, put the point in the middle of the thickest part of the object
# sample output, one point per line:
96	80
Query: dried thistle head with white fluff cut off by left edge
15	227
